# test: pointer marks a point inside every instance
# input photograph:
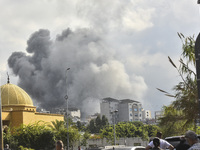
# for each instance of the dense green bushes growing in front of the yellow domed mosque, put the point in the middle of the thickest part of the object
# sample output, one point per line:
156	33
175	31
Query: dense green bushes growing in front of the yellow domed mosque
40	136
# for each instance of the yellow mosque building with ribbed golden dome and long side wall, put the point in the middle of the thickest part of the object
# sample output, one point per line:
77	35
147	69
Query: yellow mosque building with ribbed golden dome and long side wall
18	108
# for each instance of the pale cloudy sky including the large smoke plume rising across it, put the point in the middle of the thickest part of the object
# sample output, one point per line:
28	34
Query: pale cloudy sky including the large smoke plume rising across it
115	48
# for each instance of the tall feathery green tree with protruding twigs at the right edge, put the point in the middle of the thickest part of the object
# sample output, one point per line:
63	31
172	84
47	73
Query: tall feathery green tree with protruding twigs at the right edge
185	106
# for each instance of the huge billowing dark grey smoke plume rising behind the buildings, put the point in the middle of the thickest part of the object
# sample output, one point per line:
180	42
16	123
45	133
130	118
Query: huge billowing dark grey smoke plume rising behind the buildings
94	73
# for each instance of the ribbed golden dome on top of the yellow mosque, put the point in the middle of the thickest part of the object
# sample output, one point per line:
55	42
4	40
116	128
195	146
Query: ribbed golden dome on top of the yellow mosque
14	95
